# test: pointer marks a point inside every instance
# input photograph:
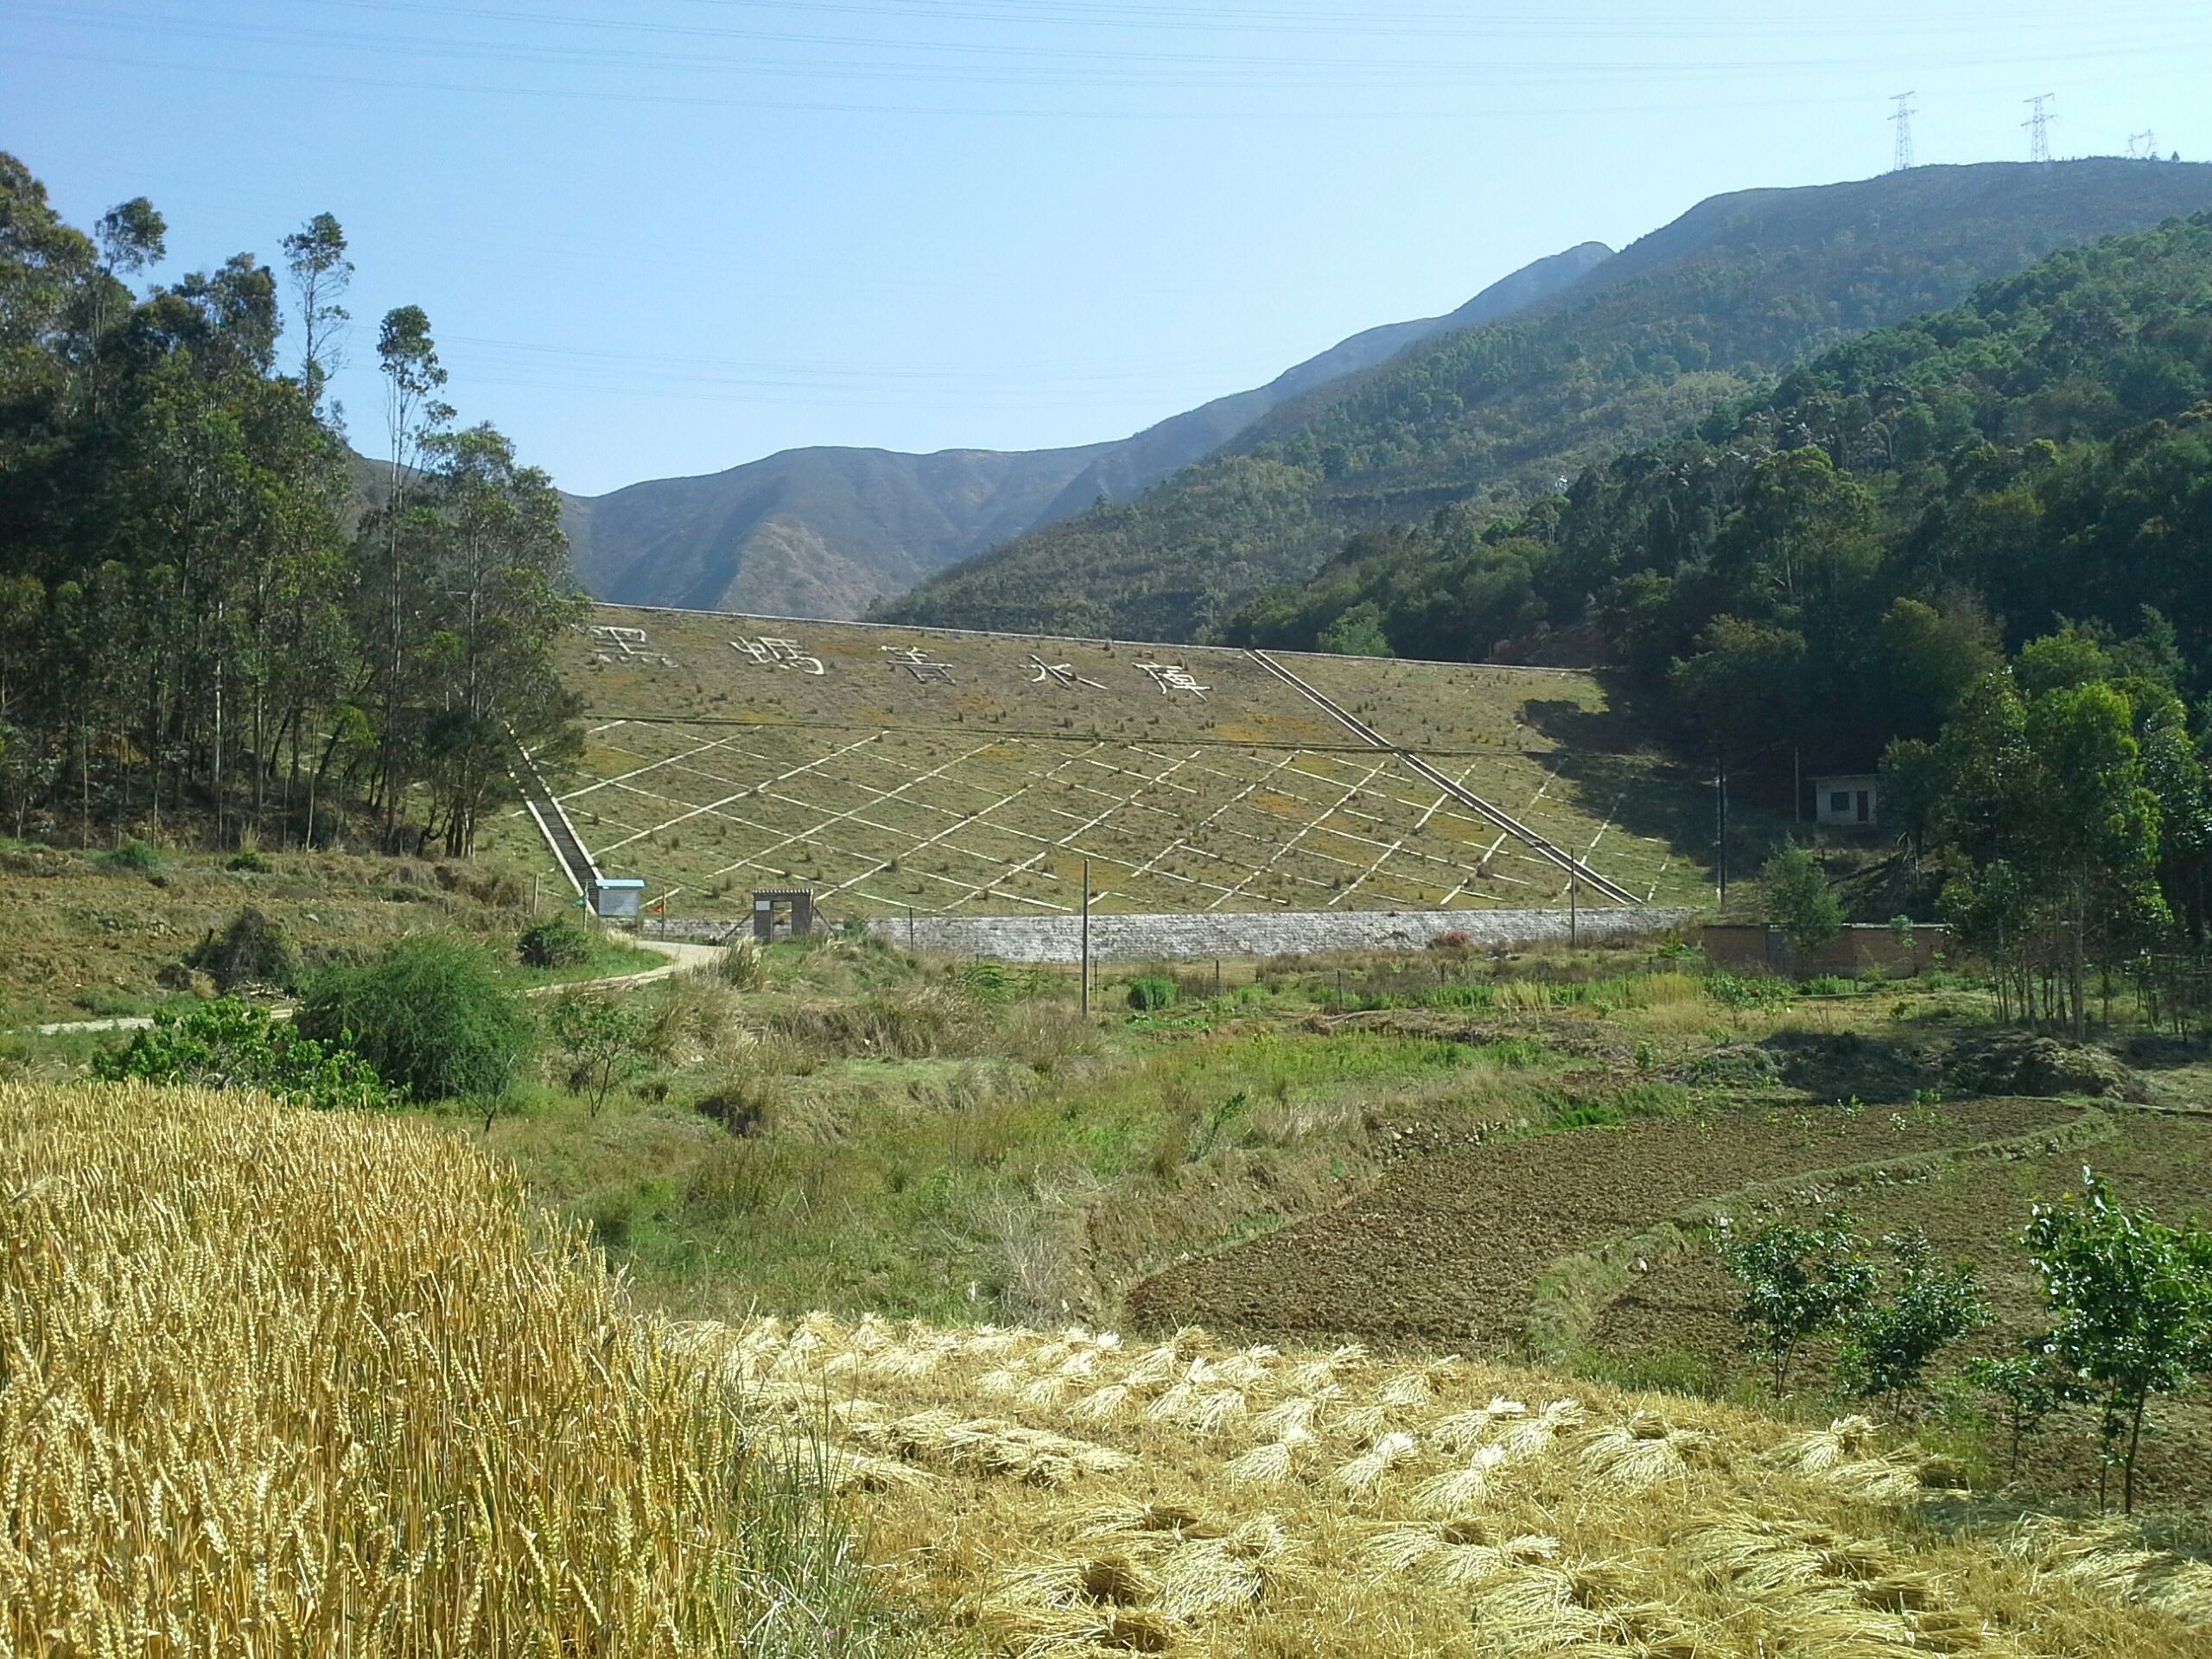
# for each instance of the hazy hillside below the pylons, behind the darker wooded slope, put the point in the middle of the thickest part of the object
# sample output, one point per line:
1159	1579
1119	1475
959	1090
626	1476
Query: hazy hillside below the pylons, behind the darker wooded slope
1693	317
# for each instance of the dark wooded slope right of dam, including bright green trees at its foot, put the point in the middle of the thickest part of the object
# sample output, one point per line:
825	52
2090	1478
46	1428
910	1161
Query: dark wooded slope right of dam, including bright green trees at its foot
1974	550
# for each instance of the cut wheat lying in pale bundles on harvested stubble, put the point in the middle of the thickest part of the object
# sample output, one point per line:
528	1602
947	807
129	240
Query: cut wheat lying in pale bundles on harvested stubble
1070	1494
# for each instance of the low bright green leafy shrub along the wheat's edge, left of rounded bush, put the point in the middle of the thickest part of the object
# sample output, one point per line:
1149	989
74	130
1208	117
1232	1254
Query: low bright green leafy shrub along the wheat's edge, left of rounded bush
233	1045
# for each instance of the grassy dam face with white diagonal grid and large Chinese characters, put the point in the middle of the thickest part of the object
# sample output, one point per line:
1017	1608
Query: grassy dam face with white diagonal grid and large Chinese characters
963	773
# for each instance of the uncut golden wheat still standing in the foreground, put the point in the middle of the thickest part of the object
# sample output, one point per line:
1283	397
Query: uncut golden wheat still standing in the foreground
304	1384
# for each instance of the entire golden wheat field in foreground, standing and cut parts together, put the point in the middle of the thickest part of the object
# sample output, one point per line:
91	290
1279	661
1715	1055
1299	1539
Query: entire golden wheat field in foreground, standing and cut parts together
298	1384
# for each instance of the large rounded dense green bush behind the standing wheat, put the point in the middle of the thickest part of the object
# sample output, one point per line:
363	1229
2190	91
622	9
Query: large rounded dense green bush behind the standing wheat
430	1016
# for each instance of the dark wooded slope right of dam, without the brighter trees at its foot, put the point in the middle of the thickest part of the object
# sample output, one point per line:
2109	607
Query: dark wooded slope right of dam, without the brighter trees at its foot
1830	565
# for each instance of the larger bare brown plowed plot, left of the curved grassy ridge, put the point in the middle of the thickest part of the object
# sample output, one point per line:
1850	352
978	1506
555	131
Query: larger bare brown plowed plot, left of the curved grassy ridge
1450	1249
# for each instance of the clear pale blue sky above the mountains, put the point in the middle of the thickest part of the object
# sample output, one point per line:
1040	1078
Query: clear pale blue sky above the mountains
671	236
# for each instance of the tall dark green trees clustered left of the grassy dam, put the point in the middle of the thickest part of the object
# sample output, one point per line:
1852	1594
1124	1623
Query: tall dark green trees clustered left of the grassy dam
216	620
